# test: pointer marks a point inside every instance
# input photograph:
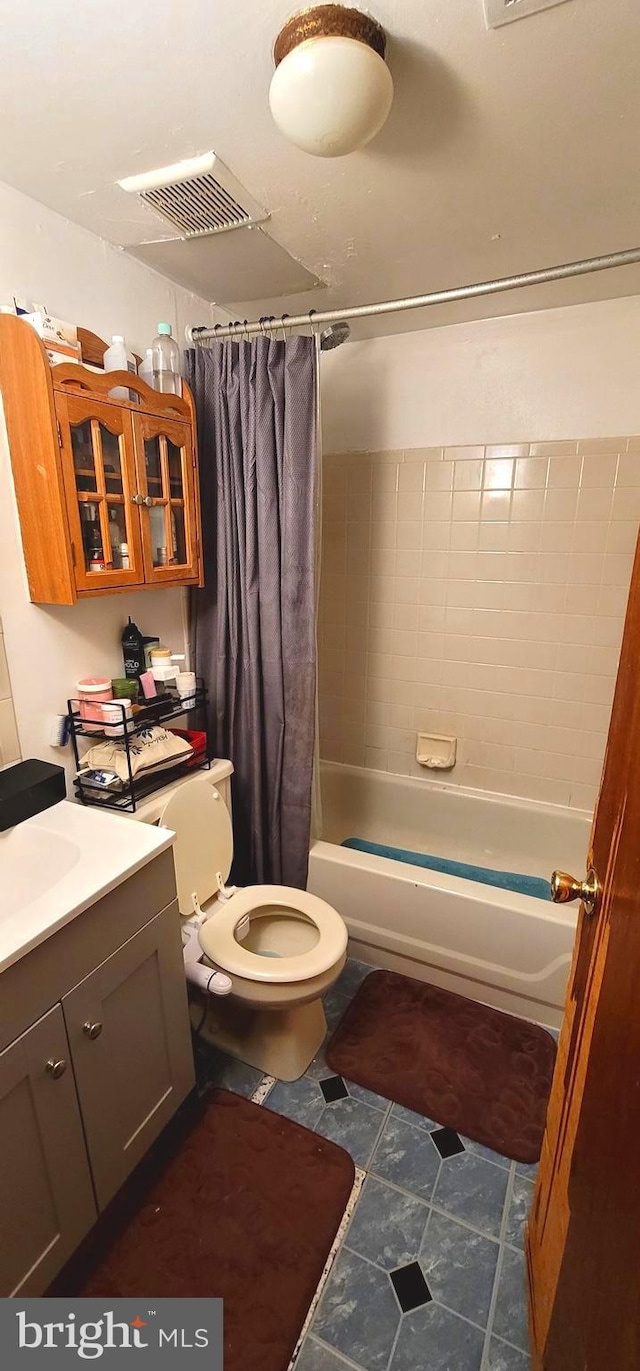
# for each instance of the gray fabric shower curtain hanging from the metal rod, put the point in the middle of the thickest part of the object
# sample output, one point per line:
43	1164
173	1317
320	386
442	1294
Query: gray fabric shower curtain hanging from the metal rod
254	623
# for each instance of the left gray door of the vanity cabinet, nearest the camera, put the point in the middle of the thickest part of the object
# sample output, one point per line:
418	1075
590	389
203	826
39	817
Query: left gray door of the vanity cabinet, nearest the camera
46	1193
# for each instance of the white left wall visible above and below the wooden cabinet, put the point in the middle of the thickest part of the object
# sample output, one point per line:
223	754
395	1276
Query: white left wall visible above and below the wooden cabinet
79	278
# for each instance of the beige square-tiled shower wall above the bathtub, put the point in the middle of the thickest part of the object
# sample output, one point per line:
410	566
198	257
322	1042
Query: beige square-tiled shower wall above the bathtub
478	592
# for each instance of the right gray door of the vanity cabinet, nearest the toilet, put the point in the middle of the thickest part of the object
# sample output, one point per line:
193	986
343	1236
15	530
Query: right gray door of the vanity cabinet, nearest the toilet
130	1033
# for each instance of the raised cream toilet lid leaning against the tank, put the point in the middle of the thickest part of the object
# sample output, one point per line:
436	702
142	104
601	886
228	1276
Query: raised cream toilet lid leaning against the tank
205	841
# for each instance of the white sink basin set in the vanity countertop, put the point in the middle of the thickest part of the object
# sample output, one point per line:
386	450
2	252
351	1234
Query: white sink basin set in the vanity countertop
32	860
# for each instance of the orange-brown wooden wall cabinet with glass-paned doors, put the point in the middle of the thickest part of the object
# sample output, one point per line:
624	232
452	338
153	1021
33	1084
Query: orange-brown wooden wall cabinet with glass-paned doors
108	489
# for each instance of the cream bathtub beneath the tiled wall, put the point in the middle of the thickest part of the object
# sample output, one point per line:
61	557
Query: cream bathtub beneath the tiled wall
509	951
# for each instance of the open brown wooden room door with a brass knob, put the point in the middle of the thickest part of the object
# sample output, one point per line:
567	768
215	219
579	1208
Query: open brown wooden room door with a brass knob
584	1230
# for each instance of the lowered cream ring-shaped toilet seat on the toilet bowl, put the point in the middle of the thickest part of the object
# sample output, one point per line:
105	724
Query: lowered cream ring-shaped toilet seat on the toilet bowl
219	937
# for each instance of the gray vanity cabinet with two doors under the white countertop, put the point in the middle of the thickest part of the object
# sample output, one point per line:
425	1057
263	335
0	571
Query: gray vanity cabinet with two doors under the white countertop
90	1082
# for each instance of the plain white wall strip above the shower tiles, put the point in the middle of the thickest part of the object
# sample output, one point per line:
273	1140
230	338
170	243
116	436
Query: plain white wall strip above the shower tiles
552	375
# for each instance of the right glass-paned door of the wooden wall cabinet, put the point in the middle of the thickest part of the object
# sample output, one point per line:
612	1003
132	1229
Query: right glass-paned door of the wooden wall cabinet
168	481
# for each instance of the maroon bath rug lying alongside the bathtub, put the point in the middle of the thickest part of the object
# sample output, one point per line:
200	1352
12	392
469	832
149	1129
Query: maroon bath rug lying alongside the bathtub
463	1065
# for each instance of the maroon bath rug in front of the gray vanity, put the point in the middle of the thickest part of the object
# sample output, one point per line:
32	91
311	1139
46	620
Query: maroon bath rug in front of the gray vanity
246	1209
